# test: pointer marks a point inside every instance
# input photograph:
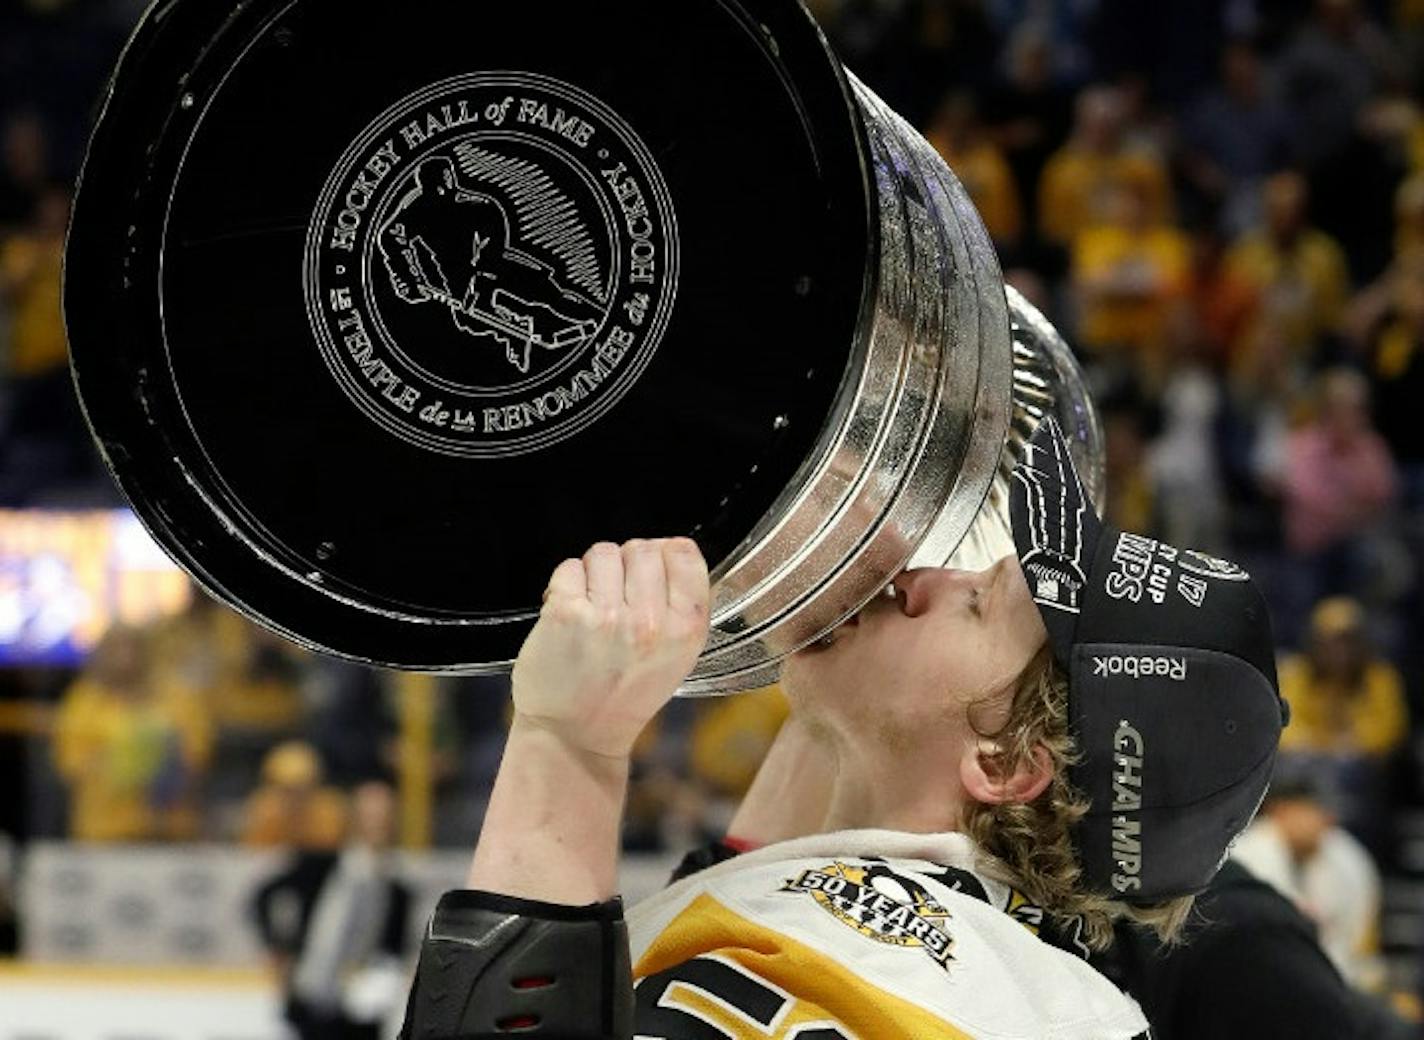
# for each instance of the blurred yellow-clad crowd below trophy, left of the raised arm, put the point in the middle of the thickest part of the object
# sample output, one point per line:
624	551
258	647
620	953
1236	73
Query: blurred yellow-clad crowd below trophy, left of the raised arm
204	727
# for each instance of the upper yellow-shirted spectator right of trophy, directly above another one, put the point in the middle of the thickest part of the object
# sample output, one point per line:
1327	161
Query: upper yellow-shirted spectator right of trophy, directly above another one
1084	179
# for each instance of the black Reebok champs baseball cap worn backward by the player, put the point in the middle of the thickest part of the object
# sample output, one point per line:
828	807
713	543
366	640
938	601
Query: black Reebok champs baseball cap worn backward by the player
1173	693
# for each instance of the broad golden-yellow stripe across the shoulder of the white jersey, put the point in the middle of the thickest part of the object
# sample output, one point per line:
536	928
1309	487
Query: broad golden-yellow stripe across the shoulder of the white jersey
824	992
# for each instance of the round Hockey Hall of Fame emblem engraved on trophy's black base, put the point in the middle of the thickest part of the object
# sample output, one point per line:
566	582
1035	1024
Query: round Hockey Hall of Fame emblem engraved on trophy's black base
492	264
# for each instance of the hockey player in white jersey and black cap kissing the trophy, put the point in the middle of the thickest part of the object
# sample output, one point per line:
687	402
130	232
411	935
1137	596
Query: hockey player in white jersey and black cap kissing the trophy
1009	760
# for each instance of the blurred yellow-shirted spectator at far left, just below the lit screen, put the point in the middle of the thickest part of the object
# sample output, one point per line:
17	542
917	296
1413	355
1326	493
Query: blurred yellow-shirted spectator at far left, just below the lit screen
133	752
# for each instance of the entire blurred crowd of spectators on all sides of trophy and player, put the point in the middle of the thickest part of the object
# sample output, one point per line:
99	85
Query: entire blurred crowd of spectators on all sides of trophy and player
1221	203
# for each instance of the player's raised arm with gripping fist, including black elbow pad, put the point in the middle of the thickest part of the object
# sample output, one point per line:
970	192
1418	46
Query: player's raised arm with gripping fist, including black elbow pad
539	941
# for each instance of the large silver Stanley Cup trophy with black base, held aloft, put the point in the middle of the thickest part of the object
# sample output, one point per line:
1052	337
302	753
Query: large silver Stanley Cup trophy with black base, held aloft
379	311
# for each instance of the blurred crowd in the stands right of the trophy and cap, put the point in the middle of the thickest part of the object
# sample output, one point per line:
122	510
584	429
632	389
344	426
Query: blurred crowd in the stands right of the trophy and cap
1223	207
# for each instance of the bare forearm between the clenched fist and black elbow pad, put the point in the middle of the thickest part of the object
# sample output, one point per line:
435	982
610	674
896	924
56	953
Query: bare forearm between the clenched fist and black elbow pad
552	830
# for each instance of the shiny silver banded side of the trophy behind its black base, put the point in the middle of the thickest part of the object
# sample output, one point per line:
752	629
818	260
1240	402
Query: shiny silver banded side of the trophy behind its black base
922	424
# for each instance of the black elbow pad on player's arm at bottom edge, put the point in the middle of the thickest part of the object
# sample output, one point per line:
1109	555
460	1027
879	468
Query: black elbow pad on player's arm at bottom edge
495	965
